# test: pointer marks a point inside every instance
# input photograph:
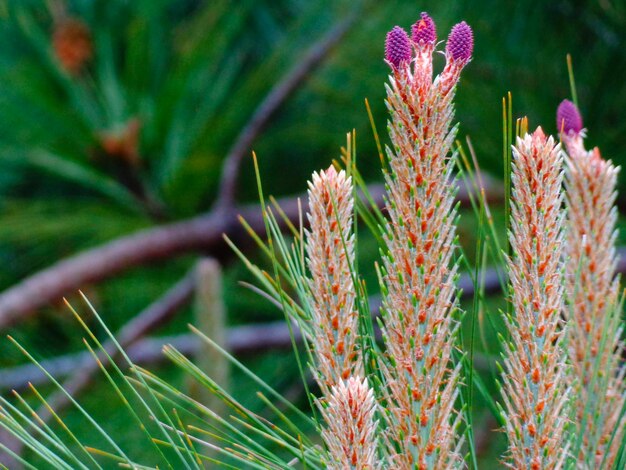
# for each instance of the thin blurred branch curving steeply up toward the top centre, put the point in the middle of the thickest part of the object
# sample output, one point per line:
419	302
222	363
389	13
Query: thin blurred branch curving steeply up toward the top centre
272	102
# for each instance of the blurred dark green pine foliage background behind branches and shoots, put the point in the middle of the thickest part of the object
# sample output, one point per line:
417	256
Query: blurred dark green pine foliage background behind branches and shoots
116	115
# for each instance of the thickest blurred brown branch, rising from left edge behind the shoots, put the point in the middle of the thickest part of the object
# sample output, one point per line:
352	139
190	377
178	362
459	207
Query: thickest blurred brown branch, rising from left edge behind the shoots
201	233
